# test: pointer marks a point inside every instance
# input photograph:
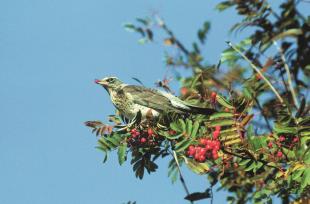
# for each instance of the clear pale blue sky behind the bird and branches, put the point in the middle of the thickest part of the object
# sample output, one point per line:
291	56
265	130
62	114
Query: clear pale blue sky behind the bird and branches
51	51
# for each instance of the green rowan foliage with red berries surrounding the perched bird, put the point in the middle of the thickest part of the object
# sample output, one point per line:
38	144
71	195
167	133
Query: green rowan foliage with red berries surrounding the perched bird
257	144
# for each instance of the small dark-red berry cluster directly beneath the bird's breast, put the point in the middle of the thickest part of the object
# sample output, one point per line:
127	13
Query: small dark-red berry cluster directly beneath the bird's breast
143	138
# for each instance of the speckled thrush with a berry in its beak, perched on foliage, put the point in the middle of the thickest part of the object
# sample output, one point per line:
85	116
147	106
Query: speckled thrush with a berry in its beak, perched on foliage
131	99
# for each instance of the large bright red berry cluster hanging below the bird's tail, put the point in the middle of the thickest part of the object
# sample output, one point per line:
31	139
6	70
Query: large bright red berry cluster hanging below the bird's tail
207	148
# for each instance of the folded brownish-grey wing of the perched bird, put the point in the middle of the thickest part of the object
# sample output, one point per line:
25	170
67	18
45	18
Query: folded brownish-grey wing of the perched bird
150	98
